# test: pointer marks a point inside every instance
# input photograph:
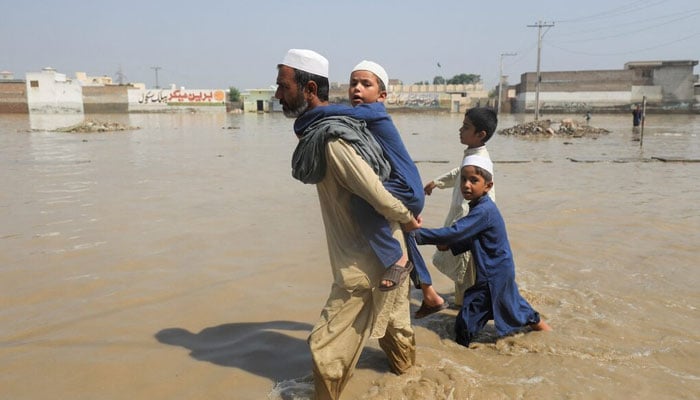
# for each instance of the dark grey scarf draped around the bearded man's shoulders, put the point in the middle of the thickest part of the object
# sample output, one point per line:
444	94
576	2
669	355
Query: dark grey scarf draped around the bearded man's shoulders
309	158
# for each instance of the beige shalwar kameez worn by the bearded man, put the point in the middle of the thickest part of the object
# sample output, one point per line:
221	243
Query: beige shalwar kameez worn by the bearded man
355	307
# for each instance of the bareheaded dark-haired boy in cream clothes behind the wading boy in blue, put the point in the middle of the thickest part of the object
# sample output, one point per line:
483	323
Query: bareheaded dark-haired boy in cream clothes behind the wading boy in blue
477	128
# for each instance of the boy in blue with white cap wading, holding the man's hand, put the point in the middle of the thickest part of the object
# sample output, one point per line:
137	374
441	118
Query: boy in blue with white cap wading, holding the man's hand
482	231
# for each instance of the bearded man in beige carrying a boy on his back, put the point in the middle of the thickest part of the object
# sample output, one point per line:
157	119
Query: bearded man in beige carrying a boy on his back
342	159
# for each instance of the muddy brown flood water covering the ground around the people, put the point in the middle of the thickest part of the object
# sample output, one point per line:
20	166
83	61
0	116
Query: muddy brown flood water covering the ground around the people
182	261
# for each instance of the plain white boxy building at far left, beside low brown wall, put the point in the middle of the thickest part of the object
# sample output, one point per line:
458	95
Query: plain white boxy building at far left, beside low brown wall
51	92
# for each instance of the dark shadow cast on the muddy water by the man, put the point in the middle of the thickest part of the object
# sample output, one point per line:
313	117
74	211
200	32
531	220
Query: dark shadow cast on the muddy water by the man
261	348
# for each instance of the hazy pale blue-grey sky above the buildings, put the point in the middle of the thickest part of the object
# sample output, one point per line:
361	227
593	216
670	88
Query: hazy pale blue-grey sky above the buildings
220	44
